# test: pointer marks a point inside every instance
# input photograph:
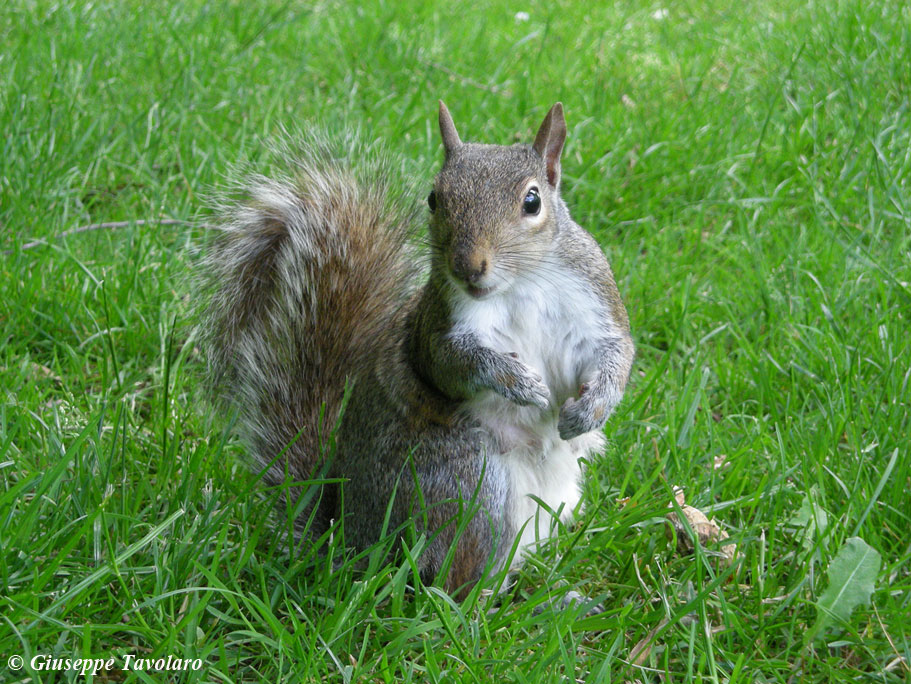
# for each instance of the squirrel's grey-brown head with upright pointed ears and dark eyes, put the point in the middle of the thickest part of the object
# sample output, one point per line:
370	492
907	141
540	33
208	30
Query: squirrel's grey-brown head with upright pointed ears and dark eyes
494	209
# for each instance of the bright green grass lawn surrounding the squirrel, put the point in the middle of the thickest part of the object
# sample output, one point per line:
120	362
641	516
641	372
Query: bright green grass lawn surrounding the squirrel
747	168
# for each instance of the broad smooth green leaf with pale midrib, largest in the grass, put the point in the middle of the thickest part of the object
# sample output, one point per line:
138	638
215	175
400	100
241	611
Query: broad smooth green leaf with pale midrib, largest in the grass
852	575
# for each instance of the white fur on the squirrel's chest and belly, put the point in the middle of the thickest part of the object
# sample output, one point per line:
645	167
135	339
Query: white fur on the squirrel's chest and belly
552	324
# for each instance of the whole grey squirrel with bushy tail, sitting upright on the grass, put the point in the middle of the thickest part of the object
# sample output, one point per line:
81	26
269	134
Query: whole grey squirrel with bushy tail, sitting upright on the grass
475	387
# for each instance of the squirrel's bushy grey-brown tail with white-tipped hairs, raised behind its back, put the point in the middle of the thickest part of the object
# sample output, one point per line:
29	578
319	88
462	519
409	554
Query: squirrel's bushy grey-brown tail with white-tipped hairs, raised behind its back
308	270
